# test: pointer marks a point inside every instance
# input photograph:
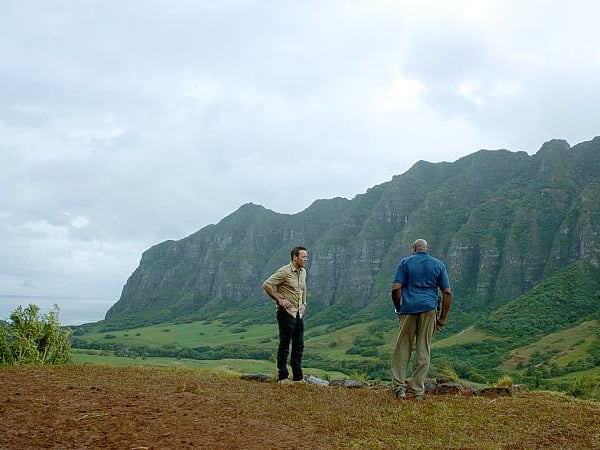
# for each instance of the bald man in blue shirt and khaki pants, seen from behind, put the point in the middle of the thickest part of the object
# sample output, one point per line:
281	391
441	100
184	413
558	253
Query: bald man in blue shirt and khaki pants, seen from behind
415	296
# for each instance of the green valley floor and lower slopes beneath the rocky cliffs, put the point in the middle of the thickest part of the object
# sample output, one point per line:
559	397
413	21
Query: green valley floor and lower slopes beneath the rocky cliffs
556	344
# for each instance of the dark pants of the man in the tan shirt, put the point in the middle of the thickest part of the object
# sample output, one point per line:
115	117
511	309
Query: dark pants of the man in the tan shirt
290	329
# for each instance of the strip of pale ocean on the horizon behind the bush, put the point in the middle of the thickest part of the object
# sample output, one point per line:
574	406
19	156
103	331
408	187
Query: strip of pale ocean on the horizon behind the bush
72	311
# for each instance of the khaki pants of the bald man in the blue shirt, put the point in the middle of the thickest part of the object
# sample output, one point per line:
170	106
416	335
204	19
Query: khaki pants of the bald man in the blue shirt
419	327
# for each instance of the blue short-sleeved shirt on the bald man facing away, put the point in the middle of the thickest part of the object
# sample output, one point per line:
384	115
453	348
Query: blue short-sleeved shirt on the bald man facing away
420	275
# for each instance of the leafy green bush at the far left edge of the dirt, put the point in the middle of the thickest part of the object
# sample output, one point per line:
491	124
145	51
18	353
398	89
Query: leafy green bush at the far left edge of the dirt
31	338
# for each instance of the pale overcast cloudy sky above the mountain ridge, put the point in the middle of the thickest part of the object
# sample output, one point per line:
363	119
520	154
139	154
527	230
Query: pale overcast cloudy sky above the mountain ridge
124	124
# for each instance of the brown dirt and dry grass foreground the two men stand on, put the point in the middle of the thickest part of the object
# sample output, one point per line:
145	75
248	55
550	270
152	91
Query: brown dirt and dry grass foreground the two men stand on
79	406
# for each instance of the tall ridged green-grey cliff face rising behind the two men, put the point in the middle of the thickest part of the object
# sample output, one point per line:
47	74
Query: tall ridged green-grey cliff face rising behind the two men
501	221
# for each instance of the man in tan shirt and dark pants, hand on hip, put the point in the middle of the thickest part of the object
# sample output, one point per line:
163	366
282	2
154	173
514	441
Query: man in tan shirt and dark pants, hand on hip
287	286
